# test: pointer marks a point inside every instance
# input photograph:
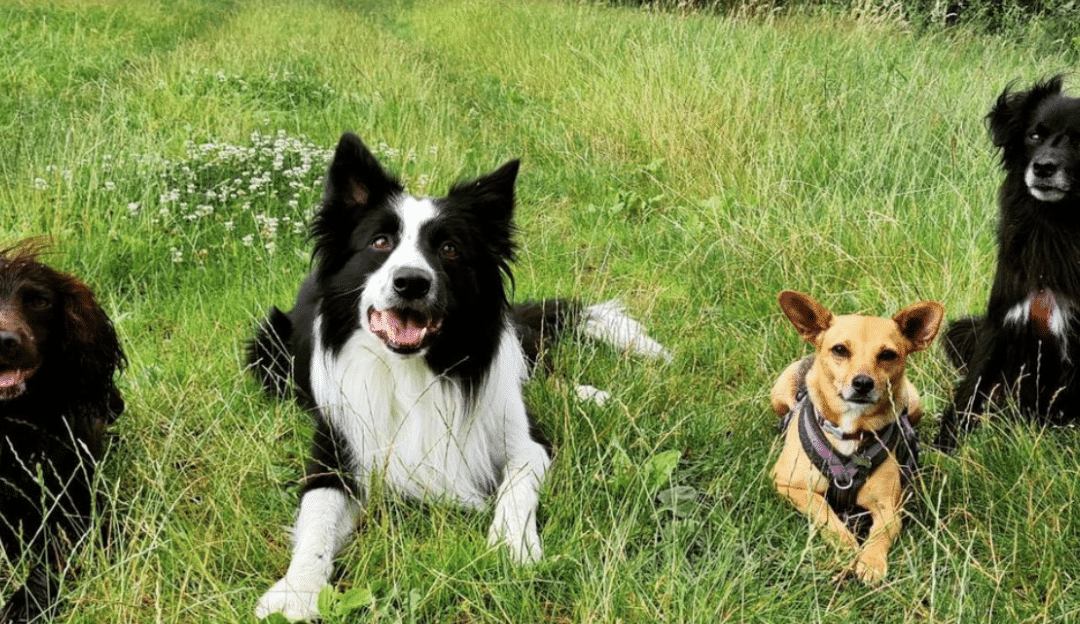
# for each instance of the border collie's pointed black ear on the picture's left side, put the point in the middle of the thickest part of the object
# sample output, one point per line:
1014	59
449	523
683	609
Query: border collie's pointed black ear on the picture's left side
356	178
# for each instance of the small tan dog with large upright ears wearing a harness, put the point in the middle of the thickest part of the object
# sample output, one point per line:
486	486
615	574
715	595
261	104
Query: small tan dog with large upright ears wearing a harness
849	412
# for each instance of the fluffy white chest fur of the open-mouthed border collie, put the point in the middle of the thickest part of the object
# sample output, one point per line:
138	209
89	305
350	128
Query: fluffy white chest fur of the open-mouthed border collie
415	430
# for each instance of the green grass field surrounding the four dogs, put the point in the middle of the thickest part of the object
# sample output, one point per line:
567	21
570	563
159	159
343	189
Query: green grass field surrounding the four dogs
692	166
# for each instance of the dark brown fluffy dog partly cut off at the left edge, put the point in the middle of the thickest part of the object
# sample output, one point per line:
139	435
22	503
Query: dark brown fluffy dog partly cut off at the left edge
59	354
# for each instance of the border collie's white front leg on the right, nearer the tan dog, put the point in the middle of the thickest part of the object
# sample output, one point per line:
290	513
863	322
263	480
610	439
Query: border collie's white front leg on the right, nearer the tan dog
517	503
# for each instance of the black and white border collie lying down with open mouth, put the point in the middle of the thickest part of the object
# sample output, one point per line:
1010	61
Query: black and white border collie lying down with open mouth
406	348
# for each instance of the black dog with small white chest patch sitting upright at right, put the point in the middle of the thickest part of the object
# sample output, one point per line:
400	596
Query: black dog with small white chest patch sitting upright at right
1027	349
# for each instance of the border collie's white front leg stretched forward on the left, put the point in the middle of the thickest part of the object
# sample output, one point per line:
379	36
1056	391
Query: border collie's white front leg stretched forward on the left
328	519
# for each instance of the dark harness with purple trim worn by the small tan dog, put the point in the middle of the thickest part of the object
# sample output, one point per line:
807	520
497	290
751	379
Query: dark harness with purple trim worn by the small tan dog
847	474
